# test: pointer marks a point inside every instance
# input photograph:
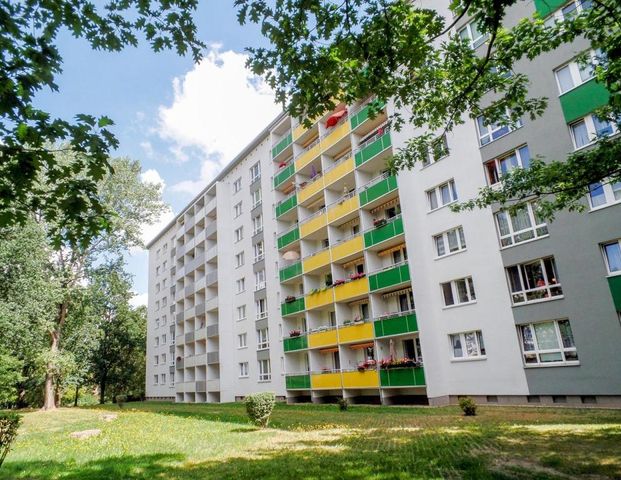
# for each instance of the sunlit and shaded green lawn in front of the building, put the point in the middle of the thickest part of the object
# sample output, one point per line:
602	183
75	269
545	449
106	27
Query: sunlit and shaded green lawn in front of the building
168	441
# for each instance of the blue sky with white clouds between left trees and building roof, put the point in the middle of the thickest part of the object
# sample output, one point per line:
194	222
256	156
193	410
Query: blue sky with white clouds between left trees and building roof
182	121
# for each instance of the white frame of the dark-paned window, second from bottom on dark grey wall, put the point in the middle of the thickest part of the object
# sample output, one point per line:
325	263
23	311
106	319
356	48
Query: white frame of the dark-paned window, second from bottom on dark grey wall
546	292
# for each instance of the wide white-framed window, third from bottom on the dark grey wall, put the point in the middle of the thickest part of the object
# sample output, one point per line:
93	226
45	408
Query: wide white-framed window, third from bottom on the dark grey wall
520	226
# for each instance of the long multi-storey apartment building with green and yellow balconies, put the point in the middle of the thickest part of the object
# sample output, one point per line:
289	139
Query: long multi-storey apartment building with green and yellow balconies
366	286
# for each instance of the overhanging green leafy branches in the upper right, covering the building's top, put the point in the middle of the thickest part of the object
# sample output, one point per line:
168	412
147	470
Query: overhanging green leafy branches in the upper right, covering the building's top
324	52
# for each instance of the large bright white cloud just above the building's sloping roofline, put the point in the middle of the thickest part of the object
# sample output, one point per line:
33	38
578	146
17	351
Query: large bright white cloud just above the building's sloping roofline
218	108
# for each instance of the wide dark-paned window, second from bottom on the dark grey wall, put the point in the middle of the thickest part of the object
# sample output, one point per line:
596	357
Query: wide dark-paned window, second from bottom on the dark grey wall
534	281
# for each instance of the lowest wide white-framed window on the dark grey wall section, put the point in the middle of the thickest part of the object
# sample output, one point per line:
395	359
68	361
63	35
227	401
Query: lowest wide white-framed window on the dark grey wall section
548	342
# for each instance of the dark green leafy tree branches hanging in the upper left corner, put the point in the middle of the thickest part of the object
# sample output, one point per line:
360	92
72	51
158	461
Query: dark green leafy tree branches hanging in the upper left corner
29	63
